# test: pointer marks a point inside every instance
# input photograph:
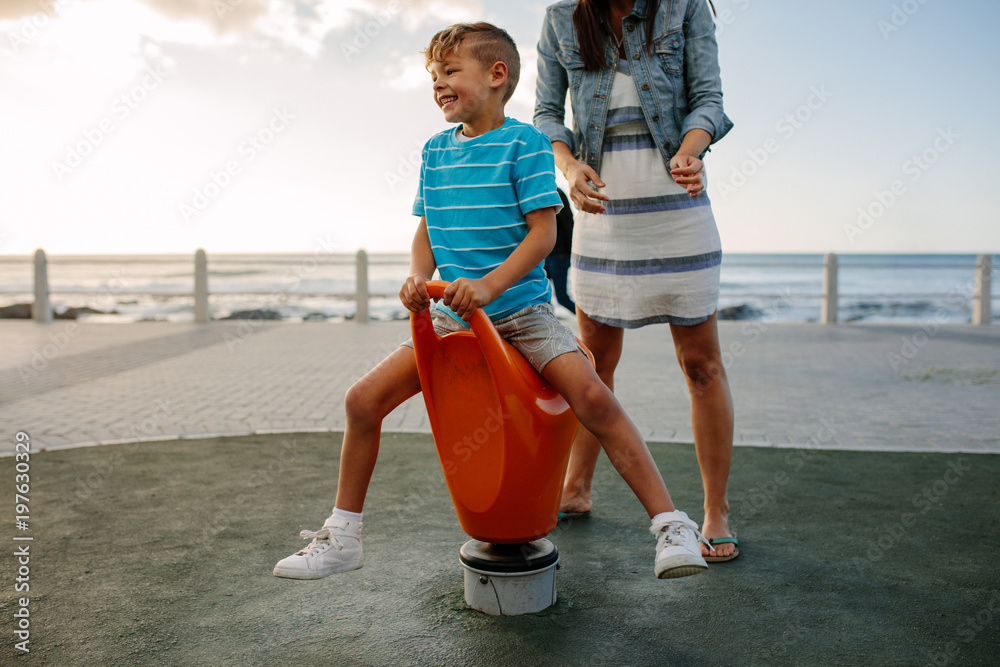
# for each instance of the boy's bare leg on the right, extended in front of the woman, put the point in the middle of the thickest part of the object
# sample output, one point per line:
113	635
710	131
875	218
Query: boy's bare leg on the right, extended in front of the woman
600	413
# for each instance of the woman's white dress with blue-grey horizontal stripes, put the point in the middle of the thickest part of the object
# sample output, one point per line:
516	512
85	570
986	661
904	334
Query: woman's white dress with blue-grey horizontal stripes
654	255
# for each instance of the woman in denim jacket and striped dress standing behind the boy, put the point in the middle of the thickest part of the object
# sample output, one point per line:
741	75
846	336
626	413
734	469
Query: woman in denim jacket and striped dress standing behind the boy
644	85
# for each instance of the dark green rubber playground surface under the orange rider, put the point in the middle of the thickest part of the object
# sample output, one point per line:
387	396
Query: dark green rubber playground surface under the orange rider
161	554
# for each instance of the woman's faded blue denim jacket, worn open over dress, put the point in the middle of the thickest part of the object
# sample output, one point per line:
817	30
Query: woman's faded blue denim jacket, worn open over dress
679	85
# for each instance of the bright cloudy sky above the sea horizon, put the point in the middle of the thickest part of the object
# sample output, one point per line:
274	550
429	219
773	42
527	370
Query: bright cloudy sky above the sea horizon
162	126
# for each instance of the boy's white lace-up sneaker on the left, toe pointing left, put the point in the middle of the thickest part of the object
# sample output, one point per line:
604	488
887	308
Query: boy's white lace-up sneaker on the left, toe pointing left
336	547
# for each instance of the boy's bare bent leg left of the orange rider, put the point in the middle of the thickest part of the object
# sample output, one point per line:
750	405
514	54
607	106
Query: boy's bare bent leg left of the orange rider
367	403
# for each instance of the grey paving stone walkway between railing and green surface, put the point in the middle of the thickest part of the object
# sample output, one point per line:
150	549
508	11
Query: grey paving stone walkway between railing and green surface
904	387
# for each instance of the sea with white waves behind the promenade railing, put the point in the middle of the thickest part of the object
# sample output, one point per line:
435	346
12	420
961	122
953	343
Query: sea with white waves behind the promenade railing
876	288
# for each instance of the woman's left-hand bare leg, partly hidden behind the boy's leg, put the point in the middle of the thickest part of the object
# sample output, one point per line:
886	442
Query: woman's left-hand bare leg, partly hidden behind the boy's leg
605	343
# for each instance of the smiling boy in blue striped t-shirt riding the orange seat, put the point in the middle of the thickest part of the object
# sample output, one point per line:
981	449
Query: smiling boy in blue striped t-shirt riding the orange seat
487	202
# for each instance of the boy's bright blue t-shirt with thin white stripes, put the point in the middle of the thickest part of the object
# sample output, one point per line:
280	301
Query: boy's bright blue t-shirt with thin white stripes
475	195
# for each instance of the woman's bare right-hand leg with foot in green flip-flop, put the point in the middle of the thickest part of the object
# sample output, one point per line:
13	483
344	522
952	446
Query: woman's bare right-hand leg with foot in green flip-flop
700	358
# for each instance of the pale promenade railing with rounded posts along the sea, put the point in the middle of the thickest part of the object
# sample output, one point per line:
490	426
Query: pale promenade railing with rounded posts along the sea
830	296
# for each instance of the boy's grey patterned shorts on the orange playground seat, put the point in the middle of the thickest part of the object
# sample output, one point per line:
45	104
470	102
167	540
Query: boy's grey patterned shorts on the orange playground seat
535	332
